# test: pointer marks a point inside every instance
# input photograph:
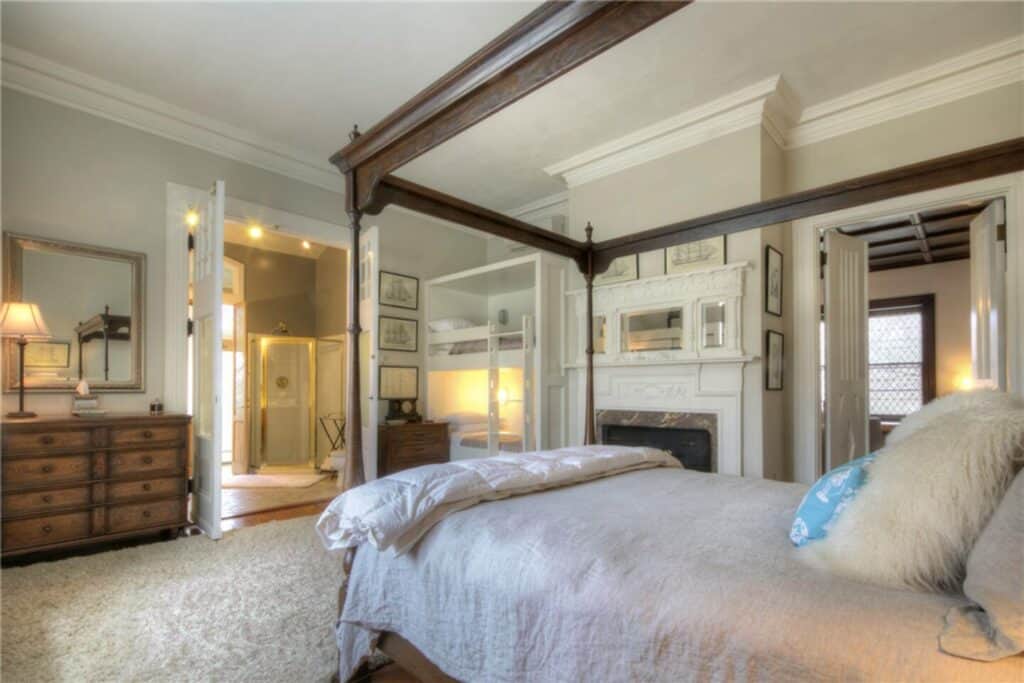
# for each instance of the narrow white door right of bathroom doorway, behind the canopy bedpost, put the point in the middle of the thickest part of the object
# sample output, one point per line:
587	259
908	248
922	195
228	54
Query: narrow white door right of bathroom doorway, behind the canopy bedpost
369	355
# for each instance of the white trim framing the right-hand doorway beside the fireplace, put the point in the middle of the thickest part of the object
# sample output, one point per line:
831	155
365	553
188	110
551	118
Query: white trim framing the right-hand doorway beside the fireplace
807	304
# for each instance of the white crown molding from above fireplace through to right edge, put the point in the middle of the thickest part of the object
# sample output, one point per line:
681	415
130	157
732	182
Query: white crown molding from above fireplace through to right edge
774	106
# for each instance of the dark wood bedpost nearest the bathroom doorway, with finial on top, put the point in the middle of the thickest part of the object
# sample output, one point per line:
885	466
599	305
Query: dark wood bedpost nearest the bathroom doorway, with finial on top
355	475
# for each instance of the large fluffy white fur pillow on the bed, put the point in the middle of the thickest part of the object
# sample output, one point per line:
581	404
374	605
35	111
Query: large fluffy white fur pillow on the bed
928	498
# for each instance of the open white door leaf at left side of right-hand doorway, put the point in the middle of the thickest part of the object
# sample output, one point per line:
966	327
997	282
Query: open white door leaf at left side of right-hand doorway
846	349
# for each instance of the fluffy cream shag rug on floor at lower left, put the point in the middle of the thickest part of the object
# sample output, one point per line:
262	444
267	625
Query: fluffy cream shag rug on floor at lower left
259	606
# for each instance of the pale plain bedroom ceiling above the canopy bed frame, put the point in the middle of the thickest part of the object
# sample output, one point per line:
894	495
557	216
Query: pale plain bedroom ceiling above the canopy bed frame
302	74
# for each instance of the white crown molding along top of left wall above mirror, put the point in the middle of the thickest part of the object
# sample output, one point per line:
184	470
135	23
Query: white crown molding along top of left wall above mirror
36	76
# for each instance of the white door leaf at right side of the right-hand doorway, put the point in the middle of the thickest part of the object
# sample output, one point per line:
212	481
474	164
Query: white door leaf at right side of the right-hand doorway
989	269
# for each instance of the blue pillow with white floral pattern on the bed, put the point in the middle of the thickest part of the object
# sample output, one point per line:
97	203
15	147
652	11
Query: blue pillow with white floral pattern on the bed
827	499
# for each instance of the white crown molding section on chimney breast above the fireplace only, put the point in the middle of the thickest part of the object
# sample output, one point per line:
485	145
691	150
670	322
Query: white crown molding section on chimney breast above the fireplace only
720	117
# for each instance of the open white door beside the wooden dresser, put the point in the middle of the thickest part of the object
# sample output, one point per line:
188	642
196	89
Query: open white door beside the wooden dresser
207	295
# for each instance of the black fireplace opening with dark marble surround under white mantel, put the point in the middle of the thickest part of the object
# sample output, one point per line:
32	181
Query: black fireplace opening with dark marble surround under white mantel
690	437
